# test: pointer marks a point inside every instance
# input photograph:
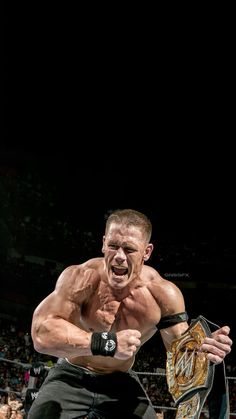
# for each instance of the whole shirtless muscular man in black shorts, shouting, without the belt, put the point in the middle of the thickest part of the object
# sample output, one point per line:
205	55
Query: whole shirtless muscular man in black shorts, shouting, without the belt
96	319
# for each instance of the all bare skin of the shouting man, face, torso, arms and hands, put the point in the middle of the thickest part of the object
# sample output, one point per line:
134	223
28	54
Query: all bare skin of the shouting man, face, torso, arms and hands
116	293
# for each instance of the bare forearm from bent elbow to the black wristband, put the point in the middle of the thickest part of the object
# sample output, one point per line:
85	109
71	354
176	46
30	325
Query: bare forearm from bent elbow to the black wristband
58	337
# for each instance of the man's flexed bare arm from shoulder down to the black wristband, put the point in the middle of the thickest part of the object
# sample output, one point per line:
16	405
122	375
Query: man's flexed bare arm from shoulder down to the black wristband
54	329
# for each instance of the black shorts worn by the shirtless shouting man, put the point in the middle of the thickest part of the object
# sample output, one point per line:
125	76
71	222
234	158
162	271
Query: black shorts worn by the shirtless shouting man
71	392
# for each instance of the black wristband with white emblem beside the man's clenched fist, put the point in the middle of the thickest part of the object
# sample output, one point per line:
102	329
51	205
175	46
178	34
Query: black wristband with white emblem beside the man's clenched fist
104	343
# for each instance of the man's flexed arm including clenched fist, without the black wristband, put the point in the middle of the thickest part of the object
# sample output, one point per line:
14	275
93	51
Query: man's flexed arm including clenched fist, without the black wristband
55	329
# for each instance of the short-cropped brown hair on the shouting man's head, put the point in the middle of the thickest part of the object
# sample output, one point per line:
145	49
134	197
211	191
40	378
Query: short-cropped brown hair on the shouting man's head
131	217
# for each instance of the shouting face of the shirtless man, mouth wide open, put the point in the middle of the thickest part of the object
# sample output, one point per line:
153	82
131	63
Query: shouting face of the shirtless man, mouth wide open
125	250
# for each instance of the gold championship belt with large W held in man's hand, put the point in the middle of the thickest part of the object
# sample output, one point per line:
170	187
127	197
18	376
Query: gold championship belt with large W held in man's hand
192	378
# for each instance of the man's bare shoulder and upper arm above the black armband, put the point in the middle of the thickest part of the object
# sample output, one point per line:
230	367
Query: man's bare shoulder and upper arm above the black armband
168	296
